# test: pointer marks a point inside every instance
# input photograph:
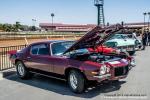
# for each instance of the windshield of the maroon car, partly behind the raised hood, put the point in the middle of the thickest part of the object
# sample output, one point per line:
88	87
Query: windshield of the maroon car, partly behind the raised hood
60	47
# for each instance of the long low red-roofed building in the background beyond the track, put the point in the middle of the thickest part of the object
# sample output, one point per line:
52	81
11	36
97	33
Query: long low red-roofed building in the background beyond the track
59	27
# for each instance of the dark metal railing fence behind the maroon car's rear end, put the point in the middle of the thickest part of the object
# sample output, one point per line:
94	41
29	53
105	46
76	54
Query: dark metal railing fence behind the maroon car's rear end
4	56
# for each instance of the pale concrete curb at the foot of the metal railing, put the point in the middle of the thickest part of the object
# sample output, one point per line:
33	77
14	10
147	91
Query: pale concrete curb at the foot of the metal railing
7	73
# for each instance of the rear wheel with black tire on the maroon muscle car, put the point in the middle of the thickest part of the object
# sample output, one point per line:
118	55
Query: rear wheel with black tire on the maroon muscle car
22	71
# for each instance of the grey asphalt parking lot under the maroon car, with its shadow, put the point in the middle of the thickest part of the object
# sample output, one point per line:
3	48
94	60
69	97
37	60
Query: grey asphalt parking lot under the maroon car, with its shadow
135	86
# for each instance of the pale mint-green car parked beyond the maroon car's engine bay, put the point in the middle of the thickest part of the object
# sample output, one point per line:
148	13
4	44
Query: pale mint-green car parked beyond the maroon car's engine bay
122	42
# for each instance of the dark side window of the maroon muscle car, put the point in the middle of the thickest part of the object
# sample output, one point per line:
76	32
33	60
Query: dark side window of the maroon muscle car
41	49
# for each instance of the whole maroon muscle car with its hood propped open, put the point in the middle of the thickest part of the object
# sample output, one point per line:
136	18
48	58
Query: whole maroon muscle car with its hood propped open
72	61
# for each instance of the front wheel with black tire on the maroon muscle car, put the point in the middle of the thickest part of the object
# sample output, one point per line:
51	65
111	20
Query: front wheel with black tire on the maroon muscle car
76	81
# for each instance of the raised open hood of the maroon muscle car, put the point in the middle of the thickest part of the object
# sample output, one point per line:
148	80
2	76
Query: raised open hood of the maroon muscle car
95	37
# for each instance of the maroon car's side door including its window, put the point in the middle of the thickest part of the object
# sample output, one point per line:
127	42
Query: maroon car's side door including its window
39	57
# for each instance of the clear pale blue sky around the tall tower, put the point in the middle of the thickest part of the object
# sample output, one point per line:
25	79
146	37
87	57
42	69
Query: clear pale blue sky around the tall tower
71	11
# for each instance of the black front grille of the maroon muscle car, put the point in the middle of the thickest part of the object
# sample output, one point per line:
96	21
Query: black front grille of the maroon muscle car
119	71
